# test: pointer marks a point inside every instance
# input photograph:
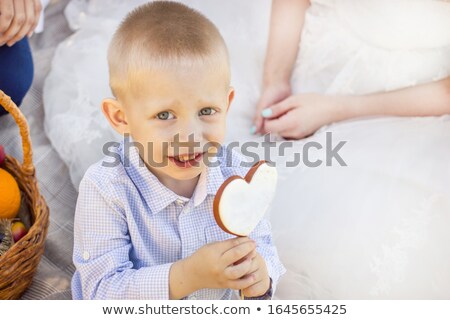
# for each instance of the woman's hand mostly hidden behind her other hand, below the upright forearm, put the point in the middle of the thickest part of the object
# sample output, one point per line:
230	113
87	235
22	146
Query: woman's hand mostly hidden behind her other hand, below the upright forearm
270	95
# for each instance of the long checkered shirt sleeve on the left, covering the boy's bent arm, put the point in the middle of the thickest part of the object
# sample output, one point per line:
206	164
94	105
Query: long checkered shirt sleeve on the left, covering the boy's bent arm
101	253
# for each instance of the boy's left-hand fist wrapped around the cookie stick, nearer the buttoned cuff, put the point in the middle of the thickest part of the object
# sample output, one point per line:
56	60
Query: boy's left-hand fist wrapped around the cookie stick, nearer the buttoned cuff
224	264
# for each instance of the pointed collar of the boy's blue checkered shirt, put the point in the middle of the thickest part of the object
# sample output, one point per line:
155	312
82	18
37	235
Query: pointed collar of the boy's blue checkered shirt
157	195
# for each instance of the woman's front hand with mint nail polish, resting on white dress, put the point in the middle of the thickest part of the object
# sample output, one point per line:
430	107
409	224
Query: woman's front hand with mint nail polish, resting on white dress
299	116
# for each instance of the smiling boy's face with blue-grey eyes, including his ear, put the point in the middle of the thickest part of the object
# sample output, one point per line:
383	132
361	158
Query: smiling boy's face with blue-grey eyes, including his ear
177	115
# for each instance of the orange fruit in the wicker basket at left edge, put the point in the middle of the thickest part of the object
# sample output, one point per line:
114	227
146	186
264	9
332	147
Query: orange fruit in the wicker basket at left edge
9	195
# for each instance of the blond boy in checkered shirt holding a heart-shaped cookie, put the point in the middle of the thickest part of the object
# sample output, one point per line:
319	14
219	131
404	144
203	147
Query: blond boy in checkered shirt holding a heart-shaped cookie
144	228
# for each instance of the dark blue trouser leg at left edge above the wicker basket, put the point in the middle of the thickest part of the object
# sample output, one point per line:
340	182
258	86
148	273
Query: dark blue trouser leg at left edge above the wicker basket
16	71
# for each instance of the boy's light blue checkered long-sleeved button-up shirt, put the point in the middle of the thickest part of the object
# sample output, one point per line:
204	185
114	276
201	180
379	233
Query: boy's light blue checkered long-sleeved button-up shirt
130	228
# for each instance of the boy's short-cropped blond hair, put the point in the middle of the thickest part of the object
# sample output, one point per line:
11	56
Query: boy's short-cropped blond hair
163	34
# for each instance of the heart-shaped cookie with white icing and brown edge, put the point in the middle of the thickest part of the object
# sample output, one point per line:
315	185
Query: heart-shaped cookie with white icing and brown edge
241	203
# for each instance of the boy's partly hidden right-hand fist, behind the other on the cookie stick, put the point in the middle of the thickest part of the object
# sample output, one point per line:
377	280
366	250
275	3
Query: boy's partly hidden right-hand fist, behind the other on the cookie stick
261	278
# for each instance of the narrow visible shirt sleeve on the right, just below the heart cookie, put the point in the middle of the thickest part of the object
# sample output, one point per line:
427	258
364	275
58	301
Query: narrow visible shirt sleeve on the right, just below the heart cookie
265	247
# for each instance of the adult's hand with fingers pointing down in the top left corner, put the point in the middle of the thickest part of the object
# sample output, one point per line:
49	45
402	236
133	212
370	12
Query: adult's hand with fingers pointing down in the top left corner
18	18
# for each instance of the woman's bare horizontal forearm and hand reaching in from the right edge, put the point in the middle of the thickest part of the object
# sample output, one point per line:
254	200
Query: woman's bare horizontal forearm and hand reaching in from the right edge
301	115
